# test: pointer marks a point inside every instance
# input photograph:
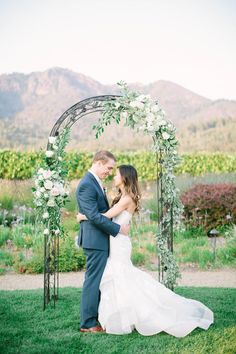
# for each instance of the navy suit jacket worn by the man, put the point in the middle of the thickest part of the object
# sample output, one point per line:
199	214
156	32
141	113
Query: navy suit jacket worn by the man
94	232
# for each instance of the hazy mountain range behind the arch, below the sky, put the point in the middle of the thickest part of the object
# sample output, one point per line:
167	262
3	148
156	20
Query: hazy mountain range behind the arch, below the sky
31	104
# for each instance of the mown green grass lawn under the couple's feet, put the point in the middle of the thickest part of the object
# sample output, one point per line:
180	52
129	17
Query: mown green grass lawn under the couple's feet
25	328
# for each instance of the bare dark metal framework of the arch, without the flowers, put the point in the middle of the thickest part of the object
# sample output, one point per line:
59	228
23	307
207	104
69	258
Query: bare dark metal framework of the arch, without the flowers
51	244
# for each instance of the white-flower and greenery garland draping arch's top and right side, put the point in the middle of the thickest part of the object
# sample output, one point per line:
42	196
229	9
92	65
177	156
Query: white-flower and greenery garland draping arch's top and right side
144	115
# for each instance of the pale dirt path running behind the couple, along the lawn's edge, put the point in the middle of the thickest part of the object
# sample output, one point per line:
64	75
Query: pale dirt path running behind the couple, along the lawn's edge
213	278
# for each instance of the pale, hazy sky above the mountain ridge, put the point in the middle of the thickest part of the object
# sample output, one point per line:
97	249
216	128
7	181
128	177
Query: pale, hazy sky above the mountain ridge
189	42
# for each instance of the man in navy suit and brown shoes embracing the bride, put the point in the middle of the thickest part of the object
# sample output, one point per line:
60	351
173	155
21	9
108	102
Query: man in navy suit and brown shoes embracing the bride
94	235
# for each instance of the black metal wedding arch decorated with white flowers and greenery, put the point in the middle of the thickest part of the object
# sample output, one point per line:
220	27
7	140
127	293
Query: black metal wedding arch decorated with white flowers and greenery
140	113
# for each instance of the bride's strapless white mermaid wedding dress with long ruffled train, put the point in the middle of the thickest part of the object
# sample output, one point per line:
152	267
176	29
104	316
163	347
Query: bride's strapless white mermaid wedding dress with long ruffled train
132	299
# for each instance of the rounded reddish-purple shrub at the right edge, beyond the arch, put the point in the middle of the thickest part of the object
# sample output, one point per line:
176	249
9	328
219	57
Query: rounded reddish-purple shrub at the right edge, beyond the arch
210	206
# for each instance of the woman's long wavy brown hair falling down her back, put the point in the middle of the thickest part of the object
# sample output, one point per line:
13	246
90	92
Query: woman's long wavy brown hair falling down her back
129	177
